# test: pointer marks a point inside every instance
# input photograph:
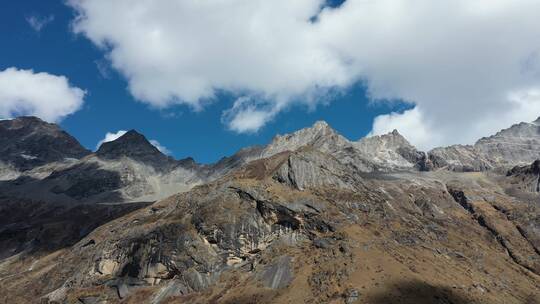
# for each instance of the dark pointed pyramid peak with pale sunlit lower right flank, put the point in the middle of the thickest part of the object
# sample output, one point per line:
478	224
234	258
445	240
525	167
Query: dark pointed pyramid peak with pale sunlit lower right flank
129	168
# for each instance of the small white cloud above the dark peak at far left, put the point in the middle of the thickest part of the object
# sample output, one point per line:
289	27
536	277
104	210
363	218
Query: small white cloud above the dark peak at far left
50	97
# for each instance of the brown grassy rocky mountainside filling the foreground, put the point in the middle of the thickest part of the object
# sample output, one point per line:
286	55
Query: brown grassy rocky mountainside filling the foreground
300	227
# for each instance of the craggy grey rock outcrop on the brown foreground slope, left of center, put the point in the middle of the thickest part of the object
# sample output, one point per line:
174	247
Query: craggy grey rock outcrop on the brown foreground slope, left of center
196	242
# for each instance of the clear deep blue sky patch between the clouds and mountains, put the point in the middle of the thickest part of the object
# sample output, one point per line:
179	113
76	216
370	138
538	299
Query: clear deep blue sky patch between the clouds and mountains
109	107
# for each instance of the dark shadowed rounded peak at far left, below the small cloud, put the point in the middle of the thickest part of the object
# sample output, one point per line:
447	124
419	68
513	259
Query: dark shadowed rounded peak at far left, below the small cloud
29	142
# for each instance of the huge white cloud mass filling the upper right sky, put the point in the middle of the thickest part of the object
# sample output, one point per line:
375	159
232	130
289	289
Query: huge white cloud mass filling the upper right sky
468	67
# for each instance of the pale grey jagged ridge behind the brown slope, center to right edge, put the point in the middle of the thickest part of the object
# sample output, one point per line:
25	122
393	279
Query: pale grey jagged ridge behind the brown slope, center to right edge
517	145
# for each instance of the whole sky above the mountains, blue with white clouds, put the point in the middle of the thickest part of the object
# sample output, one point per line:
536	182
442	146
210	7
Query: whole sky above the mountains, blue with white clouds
207	78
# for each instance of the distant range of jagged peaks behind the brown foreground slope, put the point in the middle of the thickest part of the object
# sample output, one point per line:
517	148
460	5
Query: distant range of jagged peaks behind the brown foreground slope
40	155
